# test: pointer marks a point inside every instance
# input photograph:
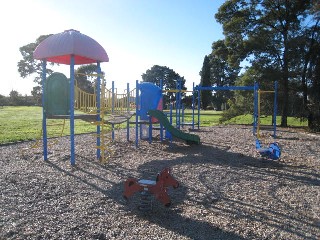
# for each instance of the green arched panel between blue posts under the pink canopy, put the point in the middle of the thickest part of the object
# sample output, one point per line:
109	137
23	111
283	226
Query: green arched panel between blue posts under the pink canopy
57	94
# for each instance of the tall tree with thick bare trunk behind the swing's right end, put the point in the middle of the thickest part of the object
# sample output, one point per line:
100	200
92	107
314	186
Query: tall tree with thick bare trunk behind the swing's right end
262	31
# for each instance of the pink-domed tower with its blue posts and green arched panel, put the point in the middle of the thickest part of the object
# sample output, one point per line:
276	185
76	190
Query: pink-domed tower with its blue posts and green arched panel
71	48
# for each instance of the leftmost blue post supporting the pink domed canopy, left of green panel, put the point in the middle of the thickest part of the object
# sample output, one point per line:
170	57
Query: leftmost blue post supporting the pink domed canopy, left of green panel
44	114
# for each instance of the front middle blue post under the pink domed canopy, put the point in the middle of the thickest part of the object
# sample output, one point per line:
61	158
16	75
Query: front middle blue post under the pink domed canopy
72	160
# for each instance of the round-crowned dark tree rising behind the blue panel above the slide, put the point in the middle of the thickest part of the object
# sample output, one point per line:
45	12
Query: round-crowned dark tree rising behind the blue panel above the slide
169	80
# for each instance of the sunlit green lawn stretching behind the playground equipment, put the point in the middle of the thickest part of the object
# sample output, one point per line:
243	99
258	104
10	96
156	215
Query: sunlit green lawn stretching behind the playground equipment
24	123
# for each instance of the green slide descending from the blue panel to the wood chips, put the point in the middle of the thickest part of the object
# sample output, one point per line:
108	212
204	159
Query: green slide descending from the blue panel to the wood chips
189	138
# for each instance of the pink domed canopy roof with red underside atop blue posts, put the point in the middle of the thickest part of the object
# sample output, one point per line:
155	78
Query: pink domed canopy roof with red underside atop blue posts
58	48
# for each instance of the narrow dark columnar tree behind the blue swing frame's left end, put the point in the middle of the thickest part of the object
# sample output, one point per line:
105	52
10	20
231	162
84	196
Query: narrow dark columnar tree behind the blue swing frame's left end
205	81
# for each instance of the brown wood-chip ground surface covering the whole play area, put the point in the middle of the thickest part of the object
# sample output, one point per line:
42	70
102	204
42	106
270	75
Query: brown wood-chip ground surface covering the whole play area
226	190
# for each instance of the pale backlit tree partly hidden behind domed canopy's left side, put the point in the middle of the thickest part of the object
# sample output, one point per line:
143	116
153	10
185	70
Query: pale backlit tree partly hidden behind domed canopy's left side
28	66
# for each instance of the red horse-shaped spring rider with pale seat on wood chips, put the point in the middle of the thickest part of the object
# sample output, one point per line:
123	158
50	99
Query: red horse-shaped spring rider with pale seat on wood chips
146	188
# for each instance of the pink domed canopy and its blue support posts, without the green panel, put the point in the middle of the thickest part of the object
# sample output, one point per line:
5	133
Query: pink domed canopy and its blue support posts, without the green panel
72	48
